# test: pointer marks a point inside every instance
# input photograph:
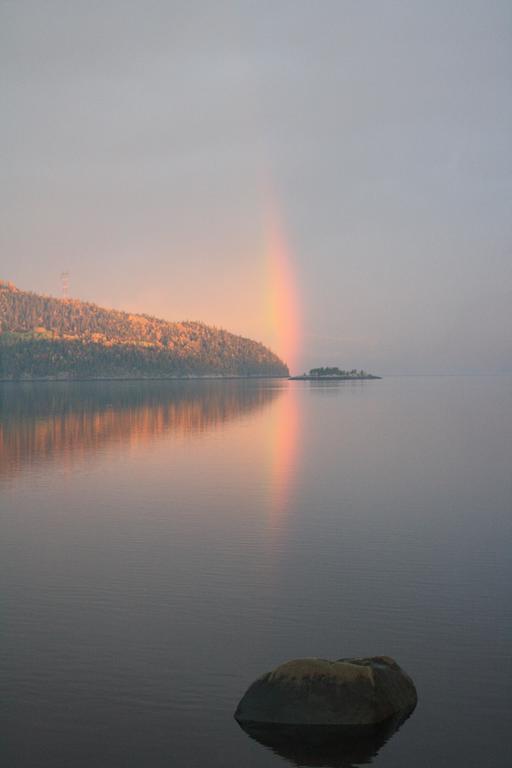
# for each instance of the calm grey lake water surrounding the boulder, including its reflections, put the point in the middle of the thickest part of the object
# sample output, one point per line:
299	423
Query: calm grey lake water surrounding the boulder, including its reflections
162	544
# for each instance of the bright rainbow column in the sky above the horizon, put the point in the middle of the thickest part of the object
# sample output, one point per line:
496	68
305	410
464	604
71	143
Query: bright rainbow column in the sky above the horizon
282	302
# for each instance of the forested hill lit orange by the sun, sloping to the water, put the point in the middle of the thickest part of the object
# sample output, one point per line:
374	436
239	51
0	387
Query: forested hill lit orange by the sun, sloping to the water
44	337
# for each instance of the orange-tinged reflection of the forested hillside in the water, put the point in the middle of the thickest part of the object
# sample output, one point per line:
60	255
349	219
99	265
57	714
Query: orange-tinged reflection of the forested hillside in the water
44	421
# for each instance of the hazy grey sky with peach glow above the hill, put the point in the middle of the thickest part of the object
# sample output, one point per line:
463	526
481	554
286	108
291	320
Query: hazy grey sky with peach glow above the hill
144	143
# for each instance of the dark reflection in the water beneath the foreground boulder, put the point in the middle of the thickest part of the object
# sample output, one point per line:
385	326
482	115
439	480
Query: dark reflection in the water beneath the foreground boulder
324	746
